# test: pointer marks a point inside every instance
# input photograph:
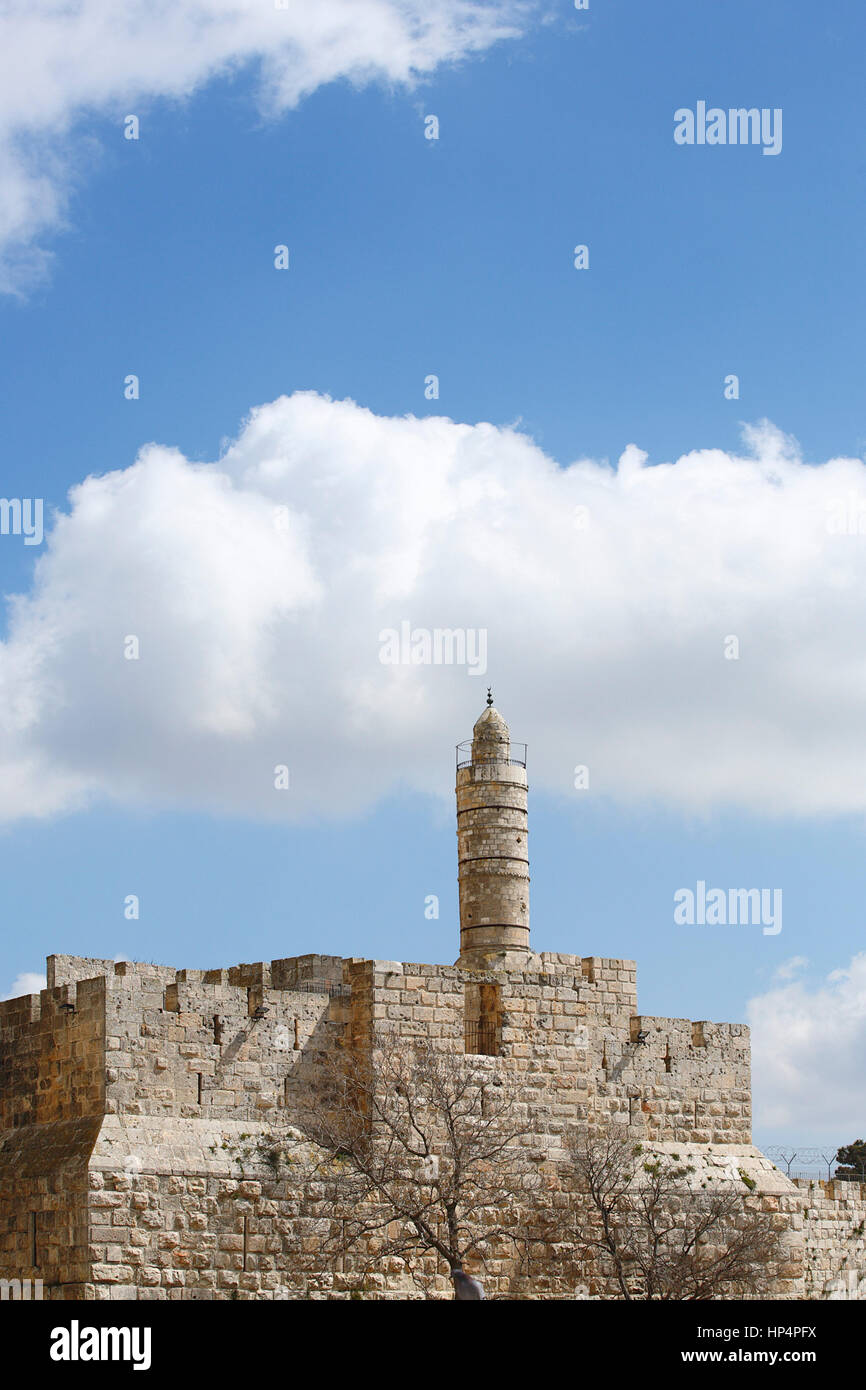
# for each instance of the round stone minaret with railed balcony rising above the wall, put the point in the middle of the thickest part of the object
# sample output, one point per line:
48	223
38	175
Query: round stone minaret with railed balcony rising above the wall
493	847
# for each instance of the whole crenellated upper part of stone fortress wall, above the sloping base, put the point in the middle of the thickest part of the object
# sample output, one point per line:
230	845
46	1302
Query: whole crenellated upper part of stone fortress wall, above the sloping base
140	1039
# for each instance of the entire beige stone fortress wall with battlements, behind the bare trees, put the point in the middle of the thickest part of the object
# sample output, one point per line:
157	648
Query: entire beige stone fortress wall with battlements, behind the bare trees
138	1128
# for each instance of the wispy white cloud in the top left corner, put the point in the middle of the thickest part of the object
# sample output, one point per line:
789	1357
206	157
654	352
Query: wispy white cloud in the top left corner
69	60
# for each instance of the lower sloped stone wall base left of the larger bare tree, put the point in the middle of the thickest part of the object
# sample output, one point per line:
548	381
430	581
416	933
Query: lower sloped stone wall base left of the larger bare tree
211	1220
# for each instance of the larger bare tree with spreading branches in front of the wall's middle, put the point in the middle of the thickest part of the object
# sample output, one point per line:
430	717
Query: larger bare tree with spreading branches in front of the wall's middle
420	1154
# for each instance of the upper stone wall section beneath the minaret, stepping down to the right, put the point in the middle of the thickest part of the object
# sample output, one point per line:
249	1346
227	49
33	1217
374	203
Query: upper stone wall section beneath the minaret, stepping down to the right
572	1040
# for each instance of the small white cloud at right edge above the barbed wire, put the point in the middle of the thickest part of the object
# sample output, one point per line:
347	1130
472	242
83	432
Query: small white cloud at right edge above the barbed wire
808	1047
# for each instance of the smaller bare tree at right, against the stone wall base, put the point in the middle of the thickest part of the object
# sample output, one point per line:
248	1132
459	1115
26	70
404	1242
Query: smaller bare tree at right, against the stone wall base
640	1220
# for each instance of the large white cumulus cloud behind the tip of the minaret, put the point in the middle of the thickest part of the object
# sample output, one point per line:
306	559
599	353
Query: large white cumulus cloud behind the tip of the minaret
259	587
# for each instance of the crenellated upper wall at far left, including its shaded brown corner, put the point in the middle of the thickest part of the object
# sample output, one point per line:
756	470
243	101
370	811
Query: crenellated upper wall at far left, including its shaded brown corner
136	1038
